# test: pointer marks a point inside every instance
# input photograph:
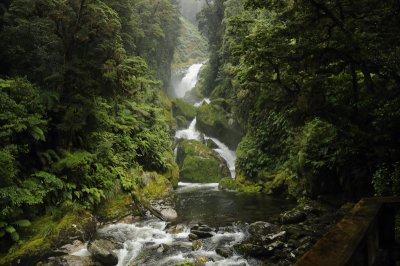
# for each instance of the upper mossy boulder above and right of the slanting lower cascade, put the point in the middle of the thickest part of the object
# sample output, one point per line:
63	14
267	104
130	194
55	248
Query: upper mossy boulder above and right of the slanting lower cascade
215	121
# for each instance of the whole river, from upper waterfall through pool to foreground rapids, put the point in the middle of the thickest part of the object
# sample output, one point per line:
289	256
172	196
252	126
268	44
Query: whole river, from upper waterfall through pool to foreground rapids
227	213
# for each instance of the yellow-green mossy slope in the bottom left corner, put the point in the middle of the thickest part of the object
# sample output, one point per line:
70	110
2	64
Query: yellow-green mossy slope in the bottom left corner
45	234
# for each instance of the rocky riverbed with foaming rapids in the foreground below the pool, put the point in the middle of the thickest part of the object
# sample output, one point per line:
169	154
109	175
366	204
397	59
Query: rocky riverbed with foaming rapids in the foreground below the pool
279	240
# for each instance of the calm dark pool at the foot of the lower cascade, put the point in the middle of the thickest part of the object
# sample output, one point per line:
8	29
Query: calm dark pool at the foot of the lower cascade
204	203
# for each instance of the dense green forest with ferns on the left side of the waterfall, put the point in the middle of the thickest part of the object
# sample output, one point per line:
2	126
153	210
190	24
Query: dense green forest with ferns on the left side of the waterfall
82	110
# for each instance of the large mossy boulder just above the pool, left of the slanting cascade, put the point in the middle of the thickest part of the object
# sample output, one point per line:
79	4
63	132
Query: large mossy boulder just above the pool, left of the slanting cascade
200	164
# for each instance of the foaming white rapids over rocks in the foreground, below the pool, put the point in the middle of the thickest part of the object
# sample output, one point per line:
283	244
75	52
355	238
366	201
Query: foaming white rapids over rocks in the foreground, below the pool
143	244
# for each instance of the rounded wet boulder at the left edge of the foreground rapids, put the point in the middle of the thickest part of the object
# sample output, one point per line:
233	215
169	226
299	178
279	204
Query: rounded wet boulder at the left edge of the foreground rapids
102	251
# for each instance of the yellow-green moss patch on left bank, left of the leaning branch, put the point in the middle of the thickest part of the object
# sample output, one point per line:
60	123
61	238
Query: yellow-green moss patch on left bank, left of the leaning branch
115	208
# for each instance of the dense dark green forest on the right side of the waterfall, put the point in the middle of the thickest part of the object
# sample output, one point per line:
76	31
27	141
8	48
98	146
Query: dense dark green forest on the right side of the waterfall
316	86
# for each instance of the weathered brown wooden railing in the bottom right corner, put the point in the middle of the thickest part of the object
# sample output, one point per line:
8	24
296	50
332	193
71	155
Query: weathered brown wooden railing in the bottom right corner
365	236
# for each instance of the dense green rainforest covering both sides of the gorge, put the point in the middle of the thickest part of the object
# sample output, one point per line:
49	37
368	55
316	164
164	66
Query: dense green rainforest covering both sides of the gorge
309	92
